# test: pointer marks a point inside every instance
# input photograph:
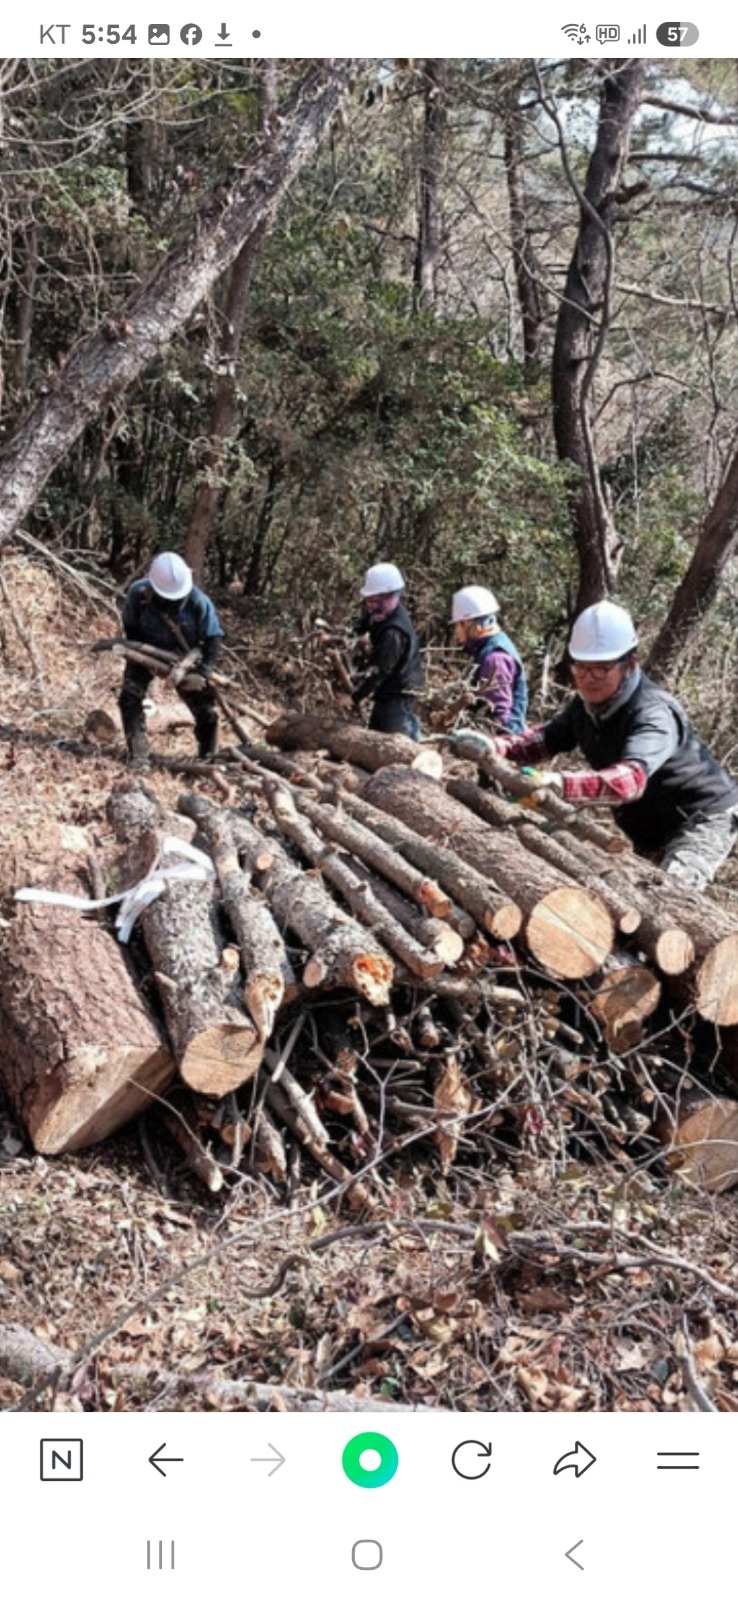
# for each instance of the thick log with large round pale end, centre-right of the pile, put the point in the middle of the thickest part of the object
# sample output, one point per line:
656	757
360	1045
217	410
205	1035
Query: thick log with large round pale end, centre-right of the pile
568	929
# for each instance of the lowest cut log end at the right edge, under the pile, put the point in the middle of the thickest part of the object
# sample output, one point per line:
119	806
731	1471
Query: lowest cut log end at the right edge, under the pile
704	1142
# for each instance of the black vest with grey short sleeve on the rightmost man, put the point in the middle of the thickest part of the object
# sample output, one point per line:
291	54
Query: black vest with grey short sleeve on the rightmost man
686	785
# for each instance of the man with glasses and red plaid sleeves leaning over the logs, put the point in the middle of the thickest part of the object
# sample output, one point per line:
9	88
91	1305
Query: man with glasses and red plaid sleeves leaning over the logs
668	793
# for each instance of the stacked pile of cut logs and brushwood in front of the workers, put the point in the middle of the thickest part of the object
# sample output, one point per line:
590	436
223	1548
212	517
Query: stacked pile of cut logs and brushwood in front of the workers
383	961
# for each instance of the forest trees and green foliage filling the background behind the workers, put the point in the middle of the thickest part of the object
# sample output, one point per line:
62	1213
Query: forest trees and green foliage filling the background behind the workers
475	316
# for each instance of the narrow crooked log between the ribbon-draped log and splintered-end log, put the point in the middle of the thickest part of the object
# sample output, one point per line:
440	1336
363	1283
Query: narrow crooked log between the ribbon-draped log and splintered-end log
267	966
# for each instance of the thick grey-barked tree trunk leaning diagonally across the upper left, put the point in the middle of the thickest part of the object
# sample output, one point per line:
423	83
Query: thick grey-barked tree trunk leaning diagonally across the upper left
105	362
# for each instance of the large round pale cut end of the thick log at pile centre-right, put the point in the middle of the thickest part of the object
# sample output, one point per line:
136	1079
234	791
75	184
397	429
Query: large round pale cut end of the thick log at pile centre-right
571	934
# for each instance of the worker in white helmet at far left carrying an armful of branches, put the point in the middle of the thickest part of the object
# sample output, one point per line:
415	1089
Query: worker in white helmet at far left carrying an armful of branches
166	610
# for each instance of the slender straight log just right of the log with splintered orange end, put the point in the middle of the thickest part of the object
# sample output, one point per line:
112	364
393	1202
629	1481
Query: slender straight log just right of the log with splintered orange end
355	890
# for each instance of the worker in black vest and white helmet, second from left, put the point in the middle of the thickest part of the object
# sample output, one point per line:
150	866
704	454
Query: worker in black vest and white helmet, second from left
395	663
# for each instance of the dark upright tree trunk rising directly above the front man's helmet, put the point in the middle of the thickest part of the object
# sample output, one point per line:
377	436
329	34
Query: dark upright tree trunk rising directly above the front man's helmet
582	330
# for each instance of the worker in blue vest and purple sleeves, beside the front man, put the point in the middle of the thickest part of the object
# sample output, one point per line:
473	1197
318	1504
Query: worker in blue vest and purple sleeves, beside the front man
499	671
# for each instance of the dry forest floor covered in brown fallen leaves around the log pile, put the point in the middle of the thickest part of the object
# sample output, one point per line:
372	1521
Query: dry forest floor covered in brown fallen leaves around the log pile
542	1281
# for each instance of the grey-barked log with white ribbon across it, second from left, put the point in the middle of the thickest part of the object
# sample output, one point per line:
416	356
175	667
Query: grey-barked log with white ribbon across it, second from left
215	1044
